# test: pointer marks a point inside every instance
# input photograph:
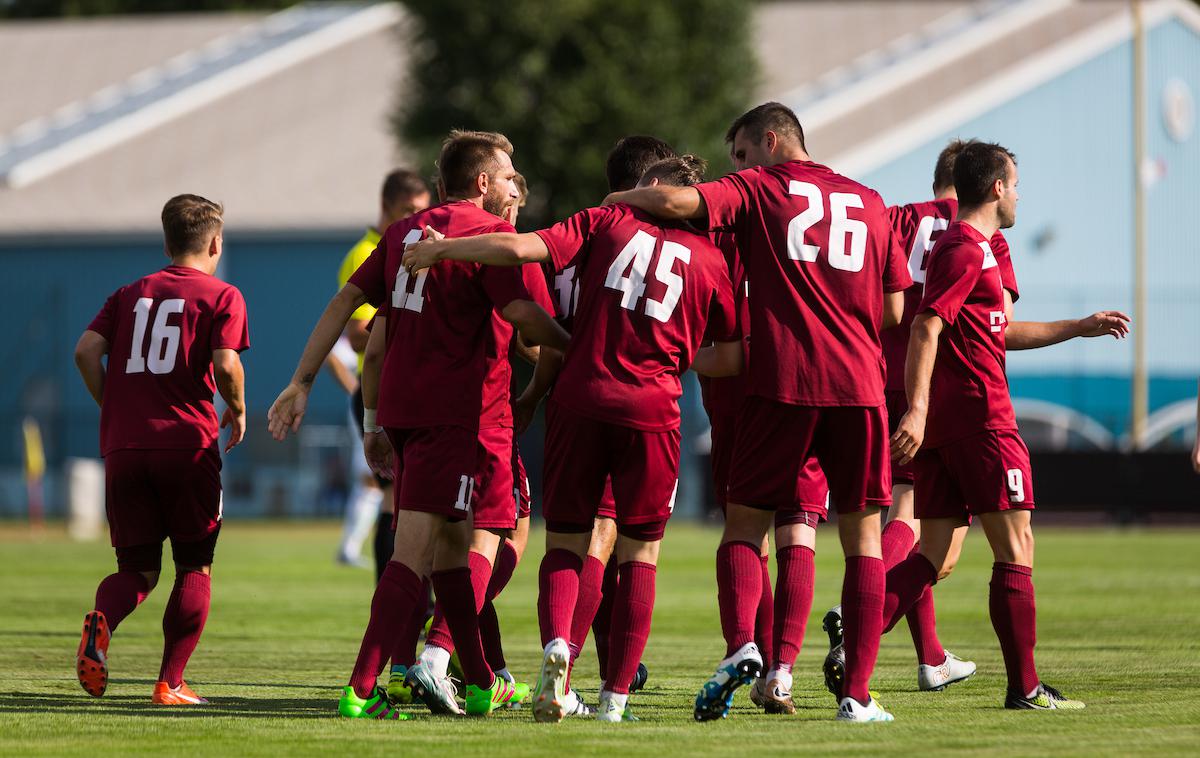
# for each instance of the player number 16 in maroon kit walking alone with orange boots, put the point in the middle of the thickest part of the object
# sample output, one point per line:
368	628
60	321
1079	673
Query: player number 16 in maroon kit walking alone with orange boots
173	340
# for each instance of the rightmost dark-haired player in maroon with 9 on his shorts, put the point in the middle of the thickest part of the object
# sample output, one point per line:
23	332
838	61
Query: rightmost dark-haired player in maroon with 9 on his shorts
971	460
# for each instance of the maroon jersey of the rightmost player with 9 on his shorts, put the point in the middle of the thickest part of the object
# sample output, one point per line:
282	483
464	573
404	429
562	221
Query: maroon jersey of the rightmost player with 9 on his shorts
969	393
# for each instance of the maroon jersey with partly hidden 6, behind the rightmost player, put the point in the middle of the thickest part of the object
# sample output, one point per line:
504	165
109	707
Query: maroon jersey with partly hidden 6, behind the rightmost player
917	227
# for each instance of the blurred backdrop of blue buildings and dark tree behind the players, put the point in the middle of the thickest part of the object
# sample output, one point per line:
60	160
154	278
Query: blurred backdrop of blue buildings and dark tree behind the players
292	115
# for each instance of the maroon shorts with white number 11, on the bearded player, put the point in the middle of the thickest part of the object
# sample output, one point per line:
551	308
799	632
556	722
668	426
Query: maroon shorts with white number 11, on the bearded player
435	470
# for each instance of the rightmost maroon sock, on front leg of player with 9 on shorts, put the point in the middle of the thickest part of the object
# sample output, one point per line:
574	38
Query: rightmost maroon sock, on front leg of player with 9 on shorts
1015	618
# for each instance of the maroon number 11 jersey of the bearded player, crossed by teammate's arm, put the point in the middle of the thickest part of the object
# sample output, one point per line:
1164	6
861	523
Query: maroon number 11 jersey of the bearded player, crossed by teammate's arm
440	322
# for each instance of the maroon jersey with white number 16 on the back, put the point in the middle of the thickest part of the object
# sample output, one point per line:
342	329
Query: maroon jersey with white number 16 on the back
161	332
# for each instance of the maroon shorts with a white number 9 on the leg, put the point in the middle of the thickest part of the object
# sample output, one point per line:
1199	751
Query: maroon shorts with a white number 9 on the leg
982	474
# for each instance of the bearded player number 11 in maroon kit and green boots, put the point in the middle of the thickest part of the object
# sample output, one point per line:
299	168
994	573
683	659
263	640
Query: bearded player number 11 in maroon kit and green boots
424	398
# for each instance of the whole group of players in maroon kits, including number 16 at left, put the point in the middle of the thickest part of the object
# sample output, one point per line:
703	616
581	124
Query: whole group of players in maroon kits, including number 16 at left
874	386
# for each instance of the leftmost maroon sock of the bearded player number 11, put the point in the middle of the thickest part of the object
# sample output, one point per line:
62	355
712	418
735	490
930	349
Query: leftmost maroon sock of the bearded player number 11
398	594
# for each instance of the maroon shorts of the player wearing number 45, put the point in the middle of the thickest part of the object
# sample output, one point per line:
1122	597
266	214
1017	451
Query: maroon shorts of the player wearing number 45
584	454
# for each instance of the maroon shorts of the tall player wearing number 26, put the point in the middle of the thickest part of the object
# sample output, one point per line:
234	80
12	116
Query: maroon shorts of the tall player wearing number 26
778	444
